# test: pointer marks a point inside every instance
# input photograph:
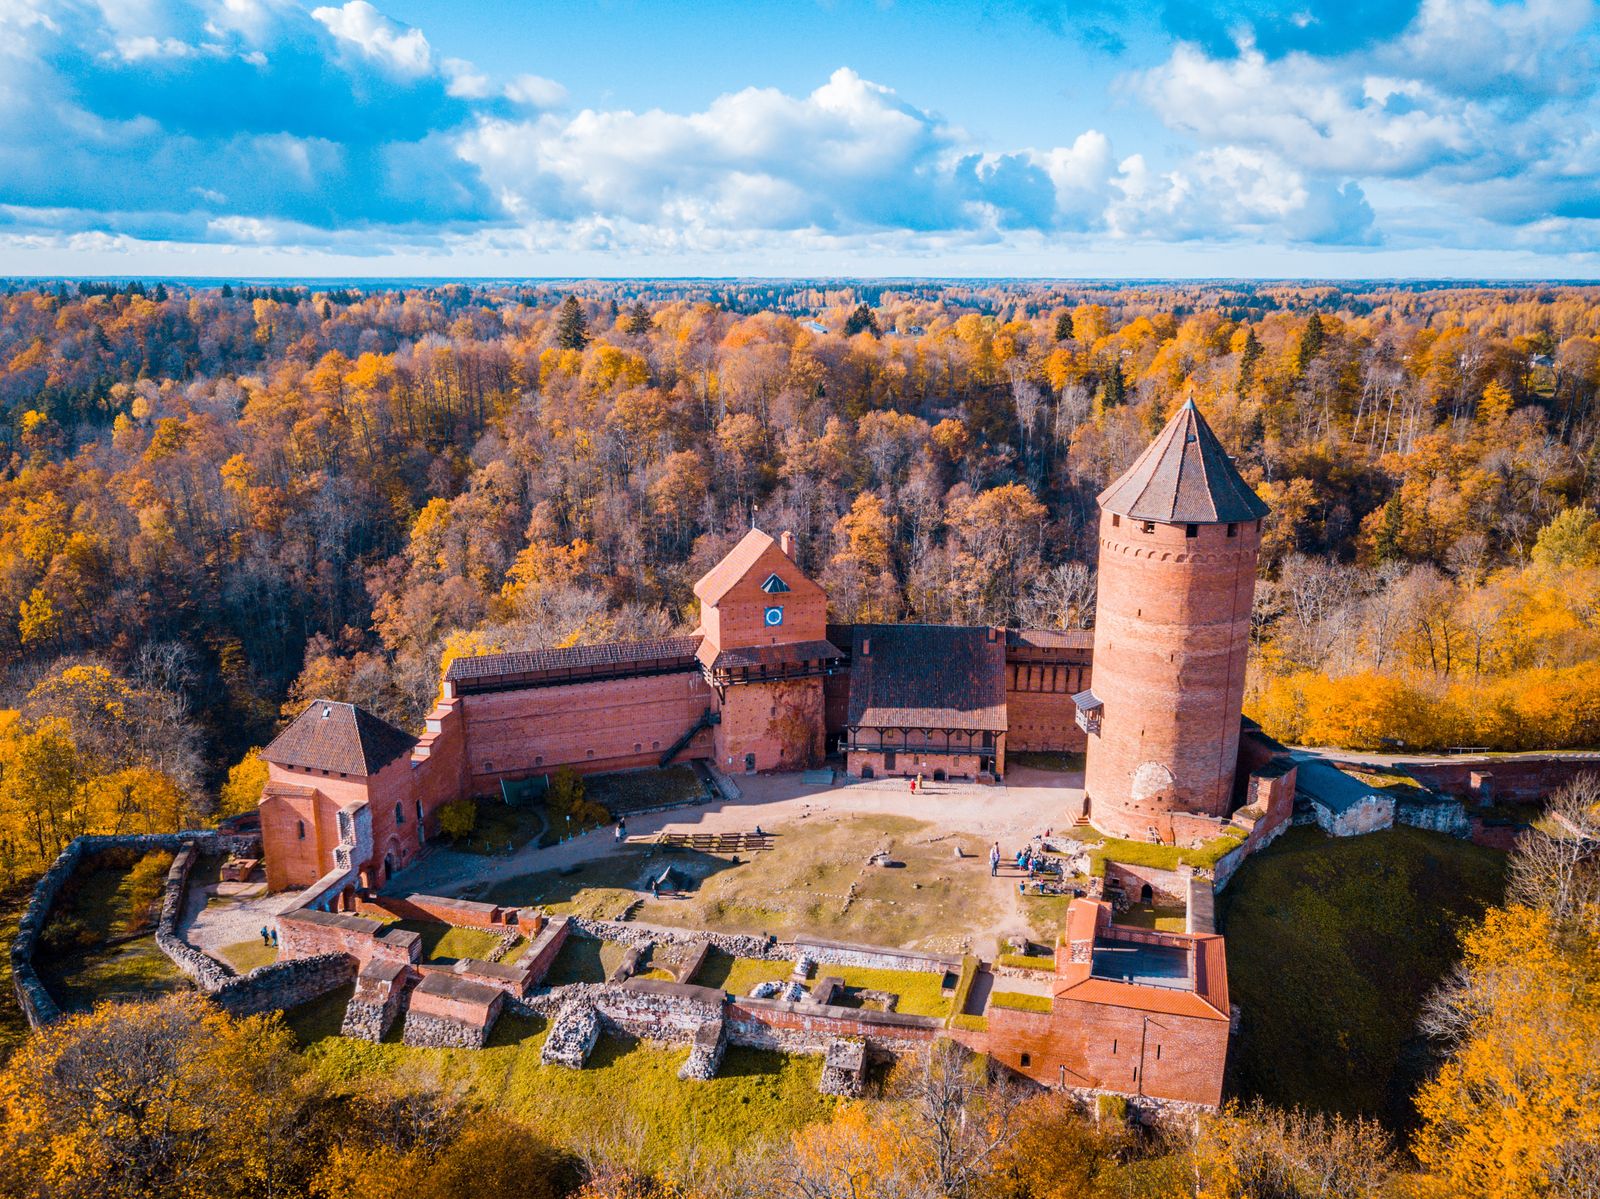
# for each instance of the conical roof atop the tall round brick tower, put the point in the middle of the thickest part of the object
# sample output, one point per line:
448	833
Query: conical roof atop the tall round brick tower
1185	476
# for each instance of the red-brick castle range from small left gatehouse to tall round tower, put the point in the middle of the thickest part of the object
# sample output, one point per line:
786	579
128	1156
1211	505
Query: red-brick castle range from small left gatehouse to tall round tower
767	683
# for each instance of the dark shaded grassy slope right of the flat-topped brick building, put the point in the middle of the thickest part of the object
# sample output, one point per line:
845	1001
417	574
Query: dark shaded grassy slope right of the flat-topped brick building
1332	947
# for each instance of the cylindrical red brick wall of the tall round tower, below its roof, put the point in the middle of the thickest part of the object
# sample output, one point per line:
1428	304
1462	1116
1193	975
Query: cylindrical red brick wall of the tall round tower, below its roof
1170	641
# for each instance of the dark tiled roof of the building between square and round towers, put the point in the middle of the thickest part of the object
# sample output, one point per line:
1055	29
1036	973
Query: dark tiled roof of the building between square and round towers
927	676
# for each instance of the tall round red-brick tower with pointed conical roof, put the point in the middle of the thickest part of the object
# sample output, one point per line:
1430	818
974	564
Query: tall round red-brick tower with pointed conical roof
1178	542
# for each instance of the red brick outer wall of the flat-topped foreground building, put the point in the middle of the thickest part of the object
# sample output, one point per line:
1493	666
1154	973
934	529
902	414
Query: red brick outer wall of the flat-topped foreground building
1113	1049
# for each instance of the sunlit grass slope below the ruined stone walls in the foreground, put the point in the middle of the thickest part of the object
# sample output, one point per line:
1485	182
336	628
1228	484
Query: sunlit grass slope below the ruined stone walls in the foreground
628	1094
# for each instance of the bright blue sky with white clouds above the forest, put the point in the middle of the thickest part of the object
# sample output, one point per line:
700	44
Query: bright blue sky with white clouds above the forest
1358	138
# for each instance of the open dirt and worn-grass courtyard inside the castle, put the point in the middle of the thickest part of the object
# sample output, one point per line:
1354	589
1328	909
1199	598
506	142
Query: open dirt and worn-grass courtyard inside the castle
818	880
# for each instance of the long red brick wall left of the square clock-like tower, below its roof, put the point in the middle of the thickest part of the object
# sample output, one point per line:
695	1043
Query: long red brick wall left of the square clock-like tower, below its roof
591	726
